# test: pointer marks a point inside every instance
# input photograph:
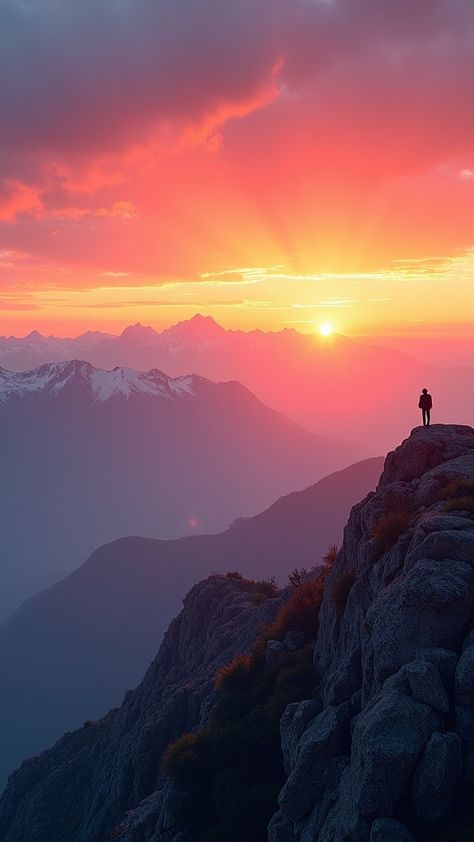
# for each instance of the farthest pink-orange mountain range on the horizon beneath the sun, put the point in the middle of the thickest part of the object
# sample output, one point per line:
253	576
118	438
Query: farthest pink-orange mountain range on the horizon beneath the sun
334	386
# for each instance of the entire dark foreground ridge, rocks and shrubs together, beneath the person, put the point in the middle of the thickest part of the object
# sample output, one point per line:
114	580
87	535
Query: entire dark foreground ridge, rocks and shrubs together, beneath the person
377	742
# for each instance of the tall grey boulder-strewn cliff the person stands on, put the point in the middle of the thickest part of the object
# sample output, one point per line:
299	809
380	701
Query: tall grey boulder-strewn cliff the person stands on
388	740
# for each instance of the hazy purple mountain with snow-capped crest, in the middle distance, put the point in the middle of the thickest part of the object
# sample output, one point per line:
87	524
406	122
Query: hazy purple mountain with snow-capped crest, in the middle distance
88	456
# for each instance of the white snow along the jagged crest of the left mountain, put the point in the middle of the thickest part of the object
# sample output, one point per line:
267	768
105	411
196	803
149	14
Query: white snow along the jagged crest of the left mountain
80	377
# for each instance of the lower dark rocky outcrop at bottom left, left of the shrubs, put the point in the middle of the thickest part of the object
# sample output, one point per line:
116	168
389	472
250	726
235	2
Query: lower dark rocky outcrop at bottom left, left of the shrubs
81	789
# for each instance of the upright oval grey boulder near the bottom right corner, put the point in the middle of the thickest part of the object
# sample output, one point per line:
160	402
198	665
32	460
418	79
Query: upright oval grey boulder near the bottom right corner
436	776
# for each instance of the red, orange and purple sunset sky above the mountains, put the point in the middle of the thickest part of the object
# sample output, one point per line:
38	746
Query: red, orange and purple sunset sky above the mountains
272	163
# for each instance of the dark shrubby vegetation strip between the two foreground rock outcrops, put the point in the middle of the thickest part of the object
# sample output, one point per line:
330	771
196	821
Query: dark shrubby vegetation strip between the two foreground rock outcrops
232	771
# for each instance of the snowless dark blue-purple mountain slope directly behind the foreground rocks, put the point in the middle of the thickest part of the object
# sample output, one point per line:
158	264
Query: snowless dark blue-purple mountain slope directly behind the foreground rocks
70	653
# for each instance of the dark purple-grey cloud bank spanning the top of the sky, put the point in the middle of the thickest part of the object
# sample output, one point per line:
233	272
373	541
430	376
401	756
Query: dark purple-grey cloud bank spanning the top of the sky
88	76
